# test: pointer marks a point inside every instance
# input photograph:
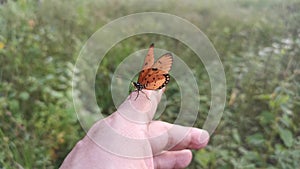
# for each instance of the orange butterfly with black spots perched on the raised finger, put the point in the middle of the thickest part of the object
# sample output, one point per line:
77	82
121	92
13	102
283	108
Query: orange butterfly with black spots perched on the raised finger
154	76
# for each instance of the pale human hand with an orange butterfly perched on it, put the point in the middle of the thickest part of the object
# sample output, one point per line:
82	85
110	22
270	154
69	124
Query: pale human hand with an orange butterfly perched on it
130	139
